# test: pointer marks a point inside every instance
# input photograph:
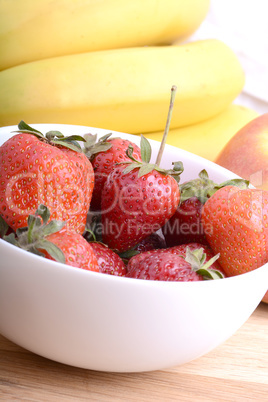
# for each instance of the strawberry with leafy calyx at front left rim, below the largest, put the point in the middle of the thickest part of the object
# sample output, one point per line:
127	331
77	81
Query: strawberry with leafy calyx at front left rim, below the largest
52	241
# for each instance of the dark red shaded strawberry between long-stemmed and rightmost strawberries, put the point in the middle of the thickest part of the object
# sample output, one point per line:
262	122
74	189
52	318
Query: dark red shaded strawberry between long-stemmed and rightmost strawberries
185	225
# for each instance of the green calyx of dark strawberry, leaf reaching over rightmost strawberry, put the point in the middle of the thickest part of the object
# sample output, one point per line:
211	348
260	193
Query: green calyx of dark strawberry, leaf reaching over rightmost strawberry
203	187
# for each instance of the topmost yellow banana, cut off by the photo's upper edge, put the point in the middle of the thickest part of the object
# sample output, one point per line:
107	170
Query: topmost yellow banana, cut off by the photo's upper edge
37	29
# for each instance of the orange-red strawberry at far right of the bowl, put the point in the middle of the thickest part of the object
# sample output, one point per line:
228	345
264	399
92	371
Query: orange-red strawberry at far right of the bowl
236	226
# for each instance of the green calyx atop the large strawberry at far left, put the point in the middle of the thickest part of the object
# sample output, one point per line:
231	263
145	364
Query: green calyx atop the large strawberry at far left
53	137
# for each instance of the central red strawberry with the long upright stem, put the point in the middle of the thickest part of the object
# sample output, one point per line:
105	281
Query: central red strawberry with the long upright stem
138	198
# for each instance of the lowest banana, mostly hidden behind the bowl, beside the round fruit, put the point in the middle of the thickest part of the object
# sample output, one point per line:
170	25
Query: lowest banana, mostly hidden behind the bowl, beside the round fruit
208	138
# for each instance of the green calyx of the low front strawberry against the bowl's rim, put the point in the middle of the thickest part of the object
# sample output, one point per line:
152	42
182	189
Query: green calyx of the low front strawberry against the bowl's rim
196	258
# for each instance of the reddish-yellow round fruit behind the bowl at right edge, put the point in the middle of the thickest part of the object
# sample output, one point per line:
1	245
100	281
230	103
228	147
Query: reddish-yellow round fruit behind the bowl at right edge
246	154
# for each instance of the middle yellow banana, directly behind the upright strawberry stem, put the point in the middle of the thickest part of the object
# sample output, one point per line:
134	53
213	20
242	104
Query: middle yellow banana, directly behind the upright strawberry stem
123	89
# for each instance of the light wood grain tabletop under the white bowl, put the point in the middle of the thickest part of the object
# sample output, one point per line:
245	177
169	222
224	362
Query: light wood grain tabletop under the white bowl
235	371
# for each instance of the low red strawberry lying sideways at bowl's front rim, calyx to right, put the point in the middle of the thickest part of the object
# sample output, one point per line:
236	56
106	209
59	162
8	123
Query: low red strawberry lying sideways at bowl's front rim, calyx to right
167	266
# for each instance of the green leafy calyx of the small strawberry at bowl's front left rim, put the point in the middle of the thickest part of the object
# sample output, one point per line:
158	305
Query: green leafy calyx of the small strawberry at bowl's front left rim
33	237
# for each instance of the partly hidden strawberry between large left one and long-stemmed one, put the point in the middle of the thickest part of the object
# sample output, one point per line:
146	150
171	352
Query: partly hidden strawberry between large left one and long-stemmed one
104	156
